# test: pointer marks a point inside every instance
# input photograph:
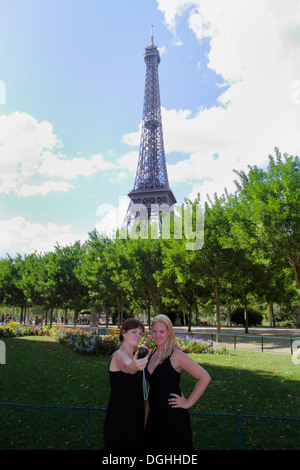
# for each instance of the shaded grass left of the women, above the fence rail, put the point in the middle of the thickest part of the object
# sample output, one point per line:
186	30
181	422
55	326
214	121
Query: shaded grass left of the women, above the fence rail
38	370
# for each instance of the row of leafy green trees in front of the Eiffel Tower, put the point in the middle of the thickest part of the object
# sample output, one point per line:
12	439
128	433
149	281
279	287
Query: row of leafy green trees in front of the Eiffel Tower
251	248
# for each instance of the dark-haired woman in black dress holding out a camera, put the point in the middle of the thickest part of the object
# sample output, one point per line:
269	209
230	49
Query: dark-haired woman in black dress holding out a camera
124	420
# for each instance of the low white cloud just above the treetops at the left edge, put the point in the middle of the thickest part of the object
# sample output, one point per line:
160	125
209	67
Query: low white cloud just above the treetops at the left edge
30	237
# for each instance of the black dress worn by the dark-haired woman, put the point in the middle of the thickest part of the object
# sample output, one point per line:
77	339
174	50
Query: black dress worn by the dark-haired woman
124	421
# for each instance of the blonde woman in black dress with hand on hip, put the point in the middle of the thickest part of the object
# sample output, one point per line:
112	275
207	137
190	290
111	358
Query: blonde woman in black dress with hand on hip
168	426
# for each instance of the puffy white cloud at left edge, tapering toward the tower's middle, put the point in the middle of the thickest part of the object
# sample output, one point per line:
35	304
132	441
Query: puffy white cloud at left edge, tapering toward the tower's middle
29	148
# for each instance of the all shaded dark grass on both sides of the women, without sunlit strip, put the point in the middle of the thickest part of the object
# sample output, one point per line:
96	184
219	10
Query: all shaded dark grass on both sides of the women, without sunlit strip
41	371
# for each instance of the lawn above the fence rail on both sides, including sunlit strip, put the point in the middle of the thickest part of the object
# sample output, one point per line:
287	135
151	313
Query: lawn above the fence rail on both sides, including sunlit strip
39	370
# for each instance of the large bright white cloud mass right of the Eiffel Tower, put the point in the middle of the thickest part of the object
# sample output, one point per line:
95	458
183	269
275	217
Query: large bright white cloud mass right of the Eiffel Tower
255	47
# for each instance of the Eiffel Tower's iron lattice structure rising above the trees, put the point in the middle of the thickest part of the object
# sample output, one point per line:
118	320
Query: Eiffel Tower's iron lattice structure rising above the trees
151	186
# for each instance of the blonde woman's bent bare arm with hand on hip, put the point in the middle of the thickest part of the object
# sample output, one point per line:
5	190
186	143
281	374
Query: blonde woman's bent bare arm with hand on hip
181	361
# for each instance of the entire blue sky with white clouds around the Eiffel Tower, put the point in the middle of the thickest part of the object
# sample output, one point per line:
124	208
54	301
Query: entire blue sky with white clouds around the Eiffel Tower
71	97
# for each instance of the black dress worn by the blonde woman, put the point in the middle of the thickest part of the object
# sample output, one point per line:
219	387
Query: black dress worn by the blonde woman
168	429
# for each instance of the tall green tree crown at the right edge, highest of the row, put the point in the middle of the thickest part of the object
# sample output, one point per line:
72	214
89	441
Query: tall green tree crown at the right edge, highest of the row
268	217
